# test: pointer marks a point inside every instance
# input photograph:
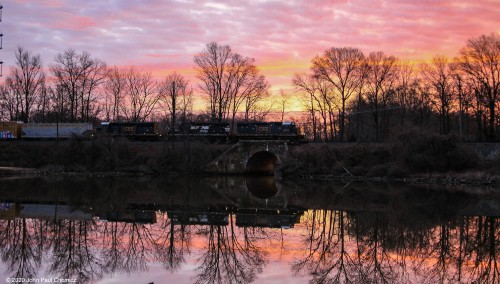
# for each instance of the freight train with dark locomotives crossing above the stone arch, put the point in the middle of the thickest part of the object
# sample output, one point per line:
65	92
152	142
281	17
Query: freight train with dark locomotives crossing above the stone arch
149	131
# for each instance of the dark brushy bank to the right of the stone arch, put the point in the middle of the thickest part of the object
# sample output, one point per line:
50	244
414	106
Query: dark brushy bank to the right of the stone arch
410	155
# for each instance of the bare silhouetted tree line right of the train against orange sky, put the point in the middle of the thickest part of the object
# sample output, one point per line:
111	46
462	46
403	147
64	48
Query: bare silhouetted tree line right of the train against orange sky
351	96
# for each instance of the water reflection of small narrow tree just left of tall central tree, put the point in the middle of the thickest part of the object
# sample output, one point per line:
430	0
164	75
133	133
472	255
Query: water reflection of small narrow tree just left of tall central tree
172	243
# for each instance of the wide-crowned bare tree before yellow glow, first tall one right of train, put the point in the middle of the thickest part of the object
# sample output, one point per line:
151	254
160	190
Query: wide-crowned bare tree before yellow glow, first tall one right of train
343	69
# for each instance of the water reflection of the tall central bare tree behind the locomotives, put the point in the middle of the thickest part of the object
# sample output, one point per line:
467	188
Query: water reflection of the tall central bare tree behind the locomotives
227	259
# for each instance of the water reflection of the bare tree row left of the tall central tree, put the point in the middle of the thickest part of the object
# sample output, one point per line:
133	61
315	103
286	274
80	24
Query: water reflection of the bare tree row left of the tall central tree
86	249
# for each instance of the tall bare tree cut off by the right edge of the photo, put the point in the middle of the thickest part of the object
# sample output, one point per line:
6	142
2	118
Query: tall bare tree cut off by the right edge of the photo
480	60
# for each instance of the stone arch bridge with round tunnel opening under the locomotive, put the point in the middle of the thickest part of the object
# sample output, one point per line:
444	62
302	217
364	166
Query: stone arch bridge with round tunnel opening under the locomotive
250	157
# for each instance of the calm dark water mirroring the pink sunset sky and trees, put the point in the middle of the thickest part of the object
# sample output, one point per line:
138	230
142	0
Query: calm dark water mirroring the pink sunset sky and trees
245	230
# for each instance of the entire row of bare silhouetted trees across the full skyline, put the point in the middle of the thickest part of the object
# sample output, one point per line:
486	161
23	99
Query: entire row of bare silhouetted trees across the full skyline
348	96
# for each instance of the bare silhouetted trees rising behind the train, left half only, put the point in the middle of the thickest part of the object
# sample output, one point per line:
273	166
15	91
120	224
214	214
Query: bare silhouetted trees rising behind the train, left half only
81	88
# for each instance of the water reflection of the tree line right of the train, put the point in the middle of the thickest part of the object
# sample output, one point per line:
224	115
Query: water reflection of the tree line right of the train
373	247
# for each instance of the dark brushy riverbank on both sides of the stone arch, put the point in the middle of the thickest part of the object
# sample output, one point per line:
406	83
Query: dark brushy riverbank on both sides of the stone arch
410	159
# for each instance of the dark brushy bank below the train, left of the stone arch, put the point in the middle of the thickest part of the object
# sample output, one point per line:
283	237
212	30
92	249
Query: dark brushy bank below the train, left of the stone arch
106	155
